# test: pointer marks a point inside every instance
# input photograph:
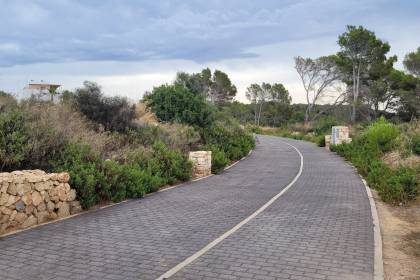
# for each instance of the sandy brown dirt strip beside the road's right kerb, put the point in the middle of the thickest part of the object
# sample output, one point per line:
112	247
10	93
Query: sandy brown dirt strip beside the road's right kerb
400	227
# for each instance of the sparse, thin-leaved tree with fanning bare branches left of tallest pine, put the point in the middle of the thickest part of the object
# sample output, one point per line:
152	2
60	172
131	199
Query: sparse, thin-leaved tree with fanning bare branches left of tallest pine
318	76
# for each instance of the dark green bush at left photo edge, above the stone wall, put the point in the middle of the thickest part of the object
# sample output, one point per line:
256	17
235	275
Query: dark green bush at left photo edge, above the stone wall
14	139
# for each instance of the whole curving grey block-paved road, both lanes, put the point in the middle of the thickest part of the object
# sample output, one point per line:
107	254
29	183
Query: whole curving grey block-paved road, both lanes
321	228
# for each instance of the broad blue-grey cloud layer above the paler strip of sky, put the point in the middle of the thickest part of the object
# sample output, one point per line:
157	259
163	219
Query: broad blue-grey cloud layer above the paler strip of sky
57	31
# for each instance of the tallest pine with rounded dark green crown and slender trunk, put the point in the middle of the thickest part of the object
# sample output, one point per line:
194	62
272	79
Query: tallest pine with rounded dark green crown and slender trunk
359	50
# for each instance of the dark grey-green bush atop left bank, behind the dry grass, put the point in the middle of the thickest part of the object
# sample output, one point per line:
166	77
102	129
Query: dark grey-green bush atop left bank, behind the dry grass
114	113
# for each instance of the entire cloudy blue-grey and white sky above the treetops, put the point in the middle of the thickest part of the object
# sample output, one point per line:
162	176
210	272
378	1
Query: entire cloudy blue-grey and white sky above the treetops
130	46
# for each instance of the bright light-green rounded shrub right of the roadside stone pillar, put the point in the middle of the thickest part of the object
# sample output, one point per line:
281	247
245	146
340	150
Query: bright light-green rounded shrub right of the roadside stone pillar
381	135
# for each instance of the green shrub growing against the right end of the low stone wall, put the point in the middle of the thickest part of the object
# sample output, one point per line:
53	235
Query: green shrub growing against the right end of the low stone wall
85	176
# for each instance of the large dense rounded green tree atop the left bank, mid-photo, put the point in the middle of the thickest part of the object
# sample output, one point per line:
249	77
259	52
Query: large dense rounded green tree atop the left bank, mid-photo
176	103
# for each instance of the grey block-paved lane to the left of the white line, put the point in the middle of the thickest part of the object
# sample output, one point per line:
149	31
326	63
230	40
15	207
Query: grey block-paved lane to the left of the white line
142	239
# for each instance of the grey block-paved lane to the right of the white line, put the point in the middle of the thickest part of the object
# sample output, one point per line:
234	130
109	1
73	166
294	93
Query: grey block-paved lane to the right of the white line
320	229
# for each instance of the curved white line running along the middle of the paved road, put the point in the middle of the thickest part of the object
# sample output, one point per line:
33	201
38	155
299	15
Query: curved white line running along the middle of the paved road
209	246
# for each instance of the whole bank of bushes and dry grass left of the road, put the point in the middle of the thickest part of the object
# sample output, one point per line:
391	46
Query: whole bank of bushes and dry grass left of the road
114	149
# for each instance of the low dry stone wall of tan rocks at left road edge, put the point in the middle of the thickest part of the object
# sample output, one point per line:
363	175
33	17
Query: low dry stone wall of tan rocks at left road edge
31	197
